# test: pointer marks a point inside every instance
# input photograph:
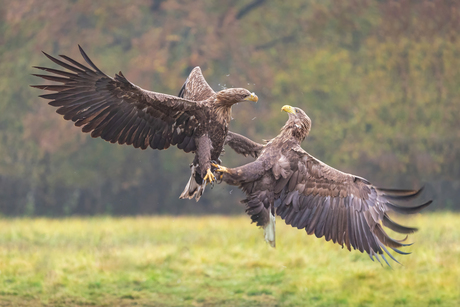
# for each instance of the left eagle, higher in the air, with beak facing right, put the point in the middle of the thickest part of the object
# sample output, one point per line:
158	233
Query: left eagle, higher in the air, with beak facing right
119	111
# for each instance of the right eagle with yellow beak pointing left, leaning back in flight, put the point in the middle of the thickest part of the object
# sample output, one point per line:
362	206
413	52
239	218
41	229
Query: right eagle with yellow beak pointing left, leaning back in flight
306	193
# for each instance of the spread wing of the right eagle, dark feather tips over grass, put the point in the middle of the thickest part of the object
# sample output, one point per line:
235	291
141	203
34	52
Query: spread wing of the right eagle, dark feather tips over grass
342	207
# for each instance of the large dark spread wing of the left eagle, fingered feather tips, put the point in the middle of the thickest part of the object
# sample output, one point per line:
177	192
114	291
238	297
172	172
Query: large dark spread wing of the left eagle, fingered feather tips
117	110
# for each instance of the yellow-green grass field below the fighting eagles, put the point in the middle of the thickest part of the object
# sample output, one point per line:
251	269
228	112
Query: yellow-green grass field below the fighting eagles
216	261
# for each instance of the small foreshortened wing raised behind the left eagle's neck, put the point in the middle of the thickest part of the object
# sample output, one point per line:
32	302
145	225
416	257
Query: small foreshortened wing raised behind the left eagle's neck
196	88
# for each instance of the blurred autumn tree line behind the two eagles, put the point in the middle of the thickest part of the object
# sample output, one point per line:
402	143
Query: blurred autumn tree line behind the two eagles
380	80
